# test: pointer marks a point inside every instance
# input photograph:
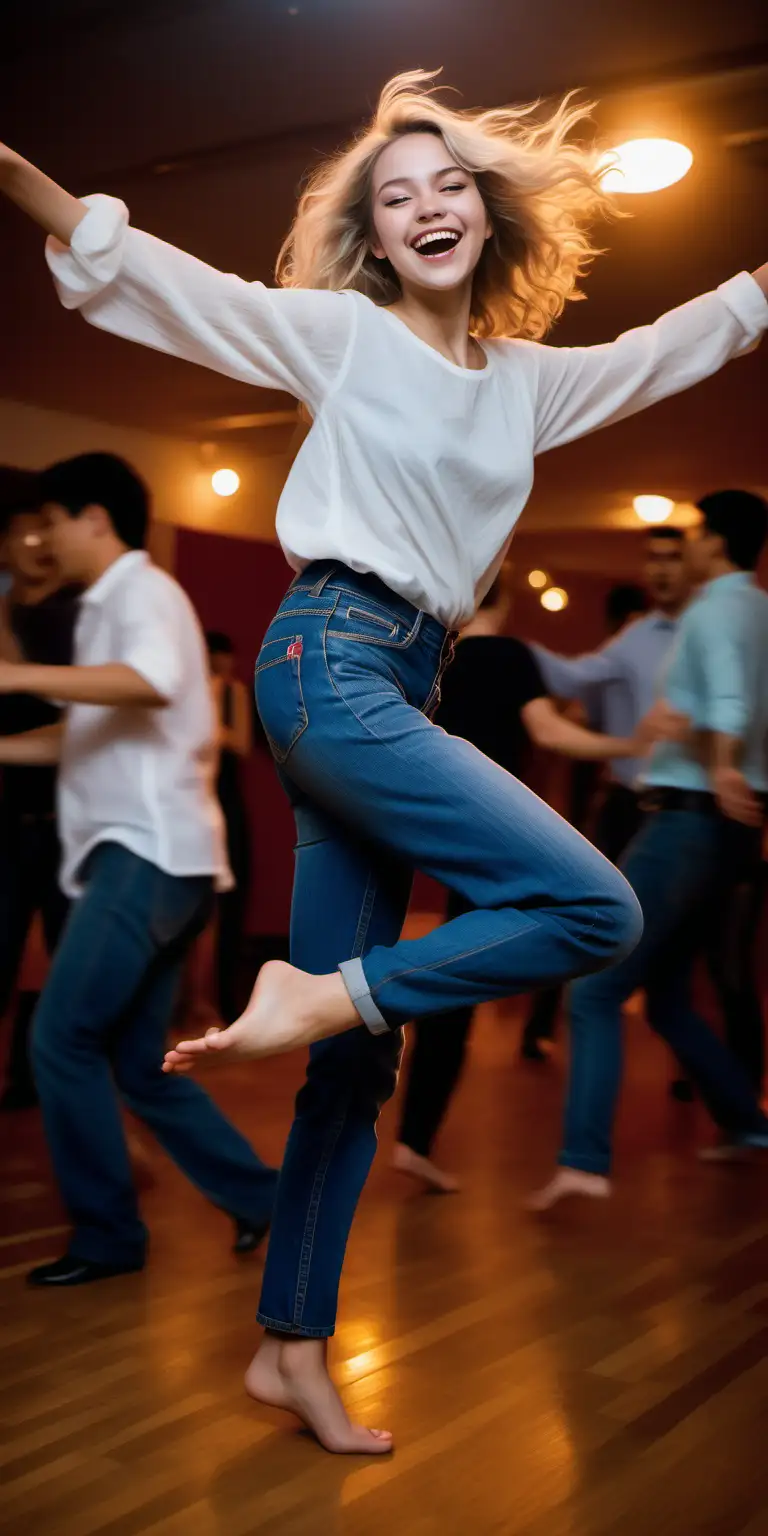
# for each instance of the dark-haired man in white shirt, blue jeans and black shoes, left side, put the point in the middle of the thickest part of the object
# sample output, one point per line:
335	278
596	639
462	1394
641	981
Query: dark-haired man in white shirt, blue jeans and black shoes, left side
144	853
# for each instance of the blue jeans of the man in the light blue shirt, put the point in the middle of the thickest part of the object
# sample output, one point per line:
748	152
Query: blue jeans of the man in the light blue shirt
684	867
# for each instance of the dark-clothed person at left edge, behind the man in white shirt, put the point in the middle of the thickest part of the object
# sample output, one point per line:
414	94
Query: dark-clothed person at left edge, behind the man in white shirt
38	620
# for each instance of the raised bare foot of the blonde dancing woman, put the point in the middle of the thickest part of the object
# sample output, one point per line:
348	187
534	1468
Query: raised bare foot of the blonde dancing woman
288	1008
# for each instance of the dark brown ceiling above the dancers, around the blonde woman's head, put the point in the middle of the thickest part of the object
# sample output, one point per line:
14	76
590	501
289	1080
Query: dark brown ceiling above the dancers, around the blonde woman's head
205	114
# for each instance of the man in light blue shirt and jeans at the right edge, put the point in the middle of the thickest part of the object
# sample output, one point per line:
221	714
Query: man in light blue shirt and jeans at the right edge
700	847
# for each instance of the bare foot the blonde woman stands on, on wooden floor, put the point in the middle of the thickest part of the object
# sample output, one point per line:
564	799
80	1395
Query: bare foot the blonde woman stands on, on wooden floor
293	1375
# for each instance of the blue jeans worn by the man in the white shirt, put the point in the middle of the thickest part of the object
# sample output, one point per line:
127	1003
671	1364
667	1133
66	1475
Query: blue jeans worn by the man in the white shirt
102	1027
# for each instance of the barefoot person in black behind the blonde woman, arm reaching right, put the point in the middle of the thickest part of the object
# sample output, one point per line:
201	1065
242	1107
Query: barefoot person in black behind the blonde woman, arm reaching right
495	698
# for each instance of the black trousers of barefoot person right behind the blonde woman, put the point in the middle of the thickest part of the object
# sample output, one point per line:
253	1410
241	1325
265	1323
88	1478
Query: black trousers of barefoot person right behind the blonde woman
437	1062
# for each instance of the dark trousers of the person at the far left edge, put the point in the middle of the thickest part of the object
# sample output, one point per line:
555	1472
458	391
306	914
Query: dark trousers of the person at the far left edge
30	856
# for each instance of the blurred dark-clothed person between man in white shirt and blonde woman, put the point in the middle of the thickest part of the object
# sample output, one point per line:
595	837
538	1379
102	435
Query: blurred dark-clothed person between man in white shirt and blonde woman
236	743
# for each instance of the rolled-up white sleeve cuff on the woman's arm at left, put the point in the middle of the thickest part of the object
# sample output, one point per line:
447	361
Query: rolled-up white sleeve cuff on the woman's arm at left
94	257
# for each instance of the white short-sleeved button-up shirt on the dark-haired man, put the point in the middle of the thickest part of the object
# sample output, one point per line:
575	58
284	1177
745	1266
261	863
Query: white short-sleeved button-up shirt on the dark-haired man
142	776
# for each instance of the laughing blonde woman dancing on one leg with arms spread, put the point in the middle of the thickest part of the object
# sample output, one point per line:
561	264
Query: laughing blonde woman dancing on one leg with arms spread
425	268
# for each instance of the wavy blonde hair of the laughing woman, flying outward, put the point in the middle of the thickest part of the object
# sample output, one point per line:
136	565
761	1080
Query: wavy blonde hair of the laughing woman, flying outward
541	191
